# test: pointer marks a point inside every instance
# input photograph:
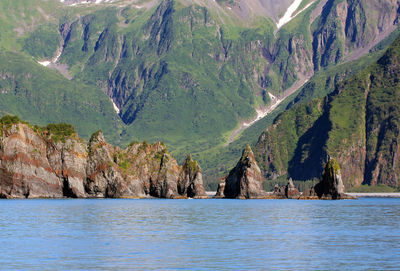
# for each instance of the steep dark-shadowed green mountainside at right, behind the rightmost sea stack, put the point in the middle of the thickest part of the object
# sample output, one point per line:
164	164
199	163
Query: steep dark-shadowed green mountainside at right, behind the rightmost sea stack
358	124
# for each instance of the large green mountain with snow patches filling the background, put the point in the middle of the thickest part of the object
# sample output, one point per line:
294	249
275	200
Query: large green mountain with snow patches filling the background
190	73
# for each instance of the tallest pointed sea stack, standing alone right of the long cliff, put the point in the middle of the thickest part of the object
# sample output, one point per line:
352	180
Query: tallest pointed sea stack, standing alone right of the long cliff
245	180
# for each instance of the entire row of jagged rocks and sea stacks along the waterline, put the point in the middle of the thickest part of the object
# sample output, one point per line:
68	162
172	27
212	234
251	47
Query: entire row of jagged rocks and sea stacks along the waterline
53	162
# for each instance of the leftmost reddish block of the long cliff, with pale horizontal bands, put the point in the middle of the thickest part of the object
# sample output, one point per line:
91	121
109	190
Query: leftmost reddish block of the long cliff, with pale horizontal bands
25	171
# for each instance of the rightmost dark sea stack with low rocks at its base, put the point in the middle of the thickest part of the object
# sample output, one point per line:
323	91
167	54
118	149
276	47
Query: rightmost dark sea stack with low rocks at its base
330	187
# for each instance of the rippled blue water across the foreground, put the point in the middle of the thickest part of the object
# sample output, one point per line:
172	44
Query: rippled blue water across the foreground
200	234
